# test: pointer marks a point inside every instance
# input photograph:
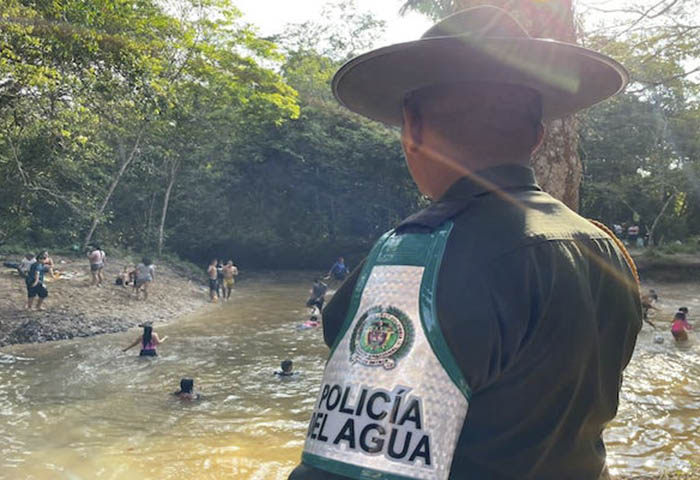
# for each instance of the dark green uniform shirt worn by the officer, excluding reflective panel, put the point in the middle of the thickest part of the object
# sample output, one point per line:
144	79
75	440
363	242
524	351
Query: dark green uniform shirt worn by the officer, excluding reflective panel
541	312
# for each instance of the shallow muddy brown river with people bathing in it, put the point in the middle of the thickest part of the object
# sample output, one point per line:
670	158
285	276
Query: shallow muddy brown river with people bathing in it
82	409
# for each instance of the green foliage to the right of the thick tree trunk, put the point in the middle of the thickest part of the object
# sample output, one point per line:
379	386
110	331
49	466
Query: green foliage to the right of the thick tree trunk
641	149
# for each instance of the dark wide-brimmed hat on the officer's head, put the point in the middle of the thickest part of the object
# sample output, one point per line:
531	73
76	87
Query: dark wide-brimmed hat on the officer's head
480	44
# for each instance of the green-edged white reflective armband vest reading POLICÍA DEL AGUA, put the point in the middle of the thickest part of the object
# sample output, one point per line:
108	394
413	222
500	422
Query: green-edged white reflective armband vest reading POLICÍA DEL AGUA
393	399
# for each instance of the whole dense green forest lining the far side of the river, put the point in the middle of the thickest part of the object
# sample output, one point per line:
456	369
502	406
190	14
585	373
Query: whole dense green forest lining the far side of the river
174	127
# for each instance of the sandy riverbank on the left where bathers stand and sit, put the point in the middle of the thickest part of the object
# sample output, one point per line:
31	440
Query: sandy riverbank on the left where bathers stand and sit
74	308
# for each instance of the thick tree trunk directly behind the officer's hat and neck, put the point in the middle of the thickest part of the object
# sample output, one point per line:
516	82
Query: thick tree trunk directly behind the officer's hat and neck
557	163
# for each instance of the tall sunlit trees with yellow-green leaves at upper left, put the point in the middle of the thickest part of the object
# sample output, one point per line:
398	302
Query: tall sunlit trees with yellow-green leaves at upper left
91	90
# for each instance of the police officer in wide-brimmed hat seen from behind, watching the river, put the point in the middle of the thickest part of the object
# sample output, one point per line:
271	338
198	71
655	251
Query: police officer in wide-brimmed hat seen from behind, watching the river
484	337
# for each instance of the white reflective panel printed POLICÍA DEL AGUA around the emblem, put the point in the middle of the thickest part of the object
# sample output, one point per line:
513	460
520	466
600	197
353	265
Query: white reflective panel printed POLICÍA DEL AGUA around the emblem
403	418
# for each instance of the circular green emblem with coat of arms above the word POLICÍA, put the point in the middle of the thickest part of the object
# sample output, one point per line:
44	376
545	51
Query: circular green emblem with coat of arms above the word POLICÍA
381	336
